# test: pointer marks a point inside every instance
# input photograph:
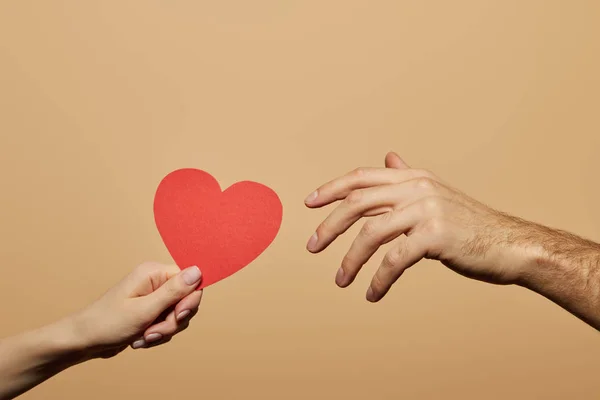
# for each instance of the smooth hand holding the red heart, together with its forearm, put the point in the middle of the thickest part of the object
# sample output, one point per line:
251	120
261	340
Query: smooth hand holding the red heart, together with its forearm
147	308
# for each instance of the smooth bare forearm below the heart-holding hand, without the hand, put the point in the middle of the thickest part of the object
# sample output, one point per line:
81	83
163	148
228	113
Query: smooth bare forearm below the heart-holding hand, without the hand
31	358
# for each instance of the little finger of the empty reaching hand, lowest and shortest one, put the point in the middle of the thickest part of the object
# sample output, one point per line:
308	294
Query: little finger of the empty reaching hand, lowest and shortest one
407	253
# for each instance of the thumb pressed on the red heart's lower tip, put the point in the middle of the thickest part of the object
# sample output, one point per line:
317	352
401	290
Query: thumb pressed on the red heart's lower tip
175	289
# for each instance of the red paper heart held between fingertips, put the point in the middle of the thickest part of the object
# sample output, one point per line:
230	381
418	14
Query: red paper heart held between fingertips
221	232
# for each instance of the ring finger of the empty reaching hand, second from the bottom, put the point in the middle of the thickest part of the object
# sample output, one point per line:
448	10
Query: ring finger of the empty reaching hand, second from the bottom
375	233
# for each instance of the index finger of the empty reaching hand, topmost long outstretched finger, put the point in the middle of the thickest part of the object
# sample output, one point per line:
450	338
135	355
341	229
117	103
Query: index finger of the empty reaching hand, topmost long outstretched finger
360	178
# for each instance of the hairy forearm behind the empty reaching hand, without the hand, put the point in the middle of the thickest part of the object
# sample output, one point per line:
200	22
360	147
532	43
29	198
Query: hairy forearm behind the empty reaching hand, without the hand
566	269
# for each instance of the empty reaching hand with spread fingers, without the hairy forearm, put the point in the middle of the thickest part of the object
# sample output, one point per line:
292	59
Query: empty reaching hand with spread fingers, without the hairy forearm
425	218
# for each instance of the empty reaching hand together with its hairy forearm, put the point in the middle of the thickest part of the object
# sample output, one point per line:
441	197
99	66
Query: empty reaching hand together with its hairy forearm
426	218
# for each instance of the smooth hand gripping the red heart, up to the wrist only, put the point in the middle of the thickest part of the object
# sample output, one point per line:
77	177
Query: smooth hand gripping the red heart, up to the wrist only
147	308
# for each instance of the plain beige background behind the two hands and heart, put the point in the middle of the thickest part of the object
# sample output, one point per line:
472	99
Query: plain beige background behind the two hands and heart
99	100
